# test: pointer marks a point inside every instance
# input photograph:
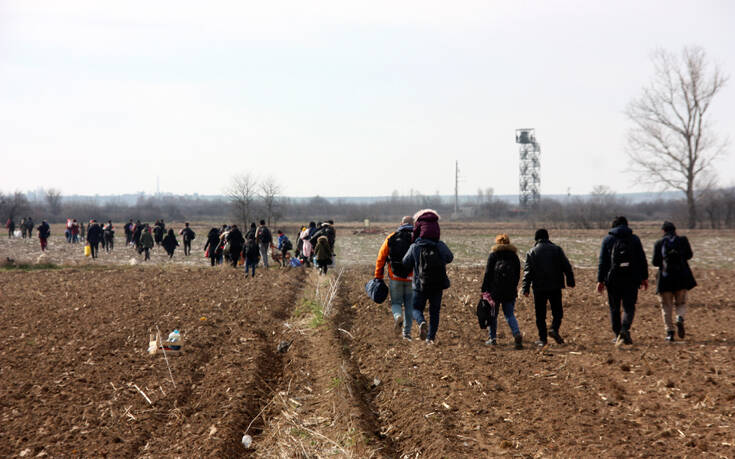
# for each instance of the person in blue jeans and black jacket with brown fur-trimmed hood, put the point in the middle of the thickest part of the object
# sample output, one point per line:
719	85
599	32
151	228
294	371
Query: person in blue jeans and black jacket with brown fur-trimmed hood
500	287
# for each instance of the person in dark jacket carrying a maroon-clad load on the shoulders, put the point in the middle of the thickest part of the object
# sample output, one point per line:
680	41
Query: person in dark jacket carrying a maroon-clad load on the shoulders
428	256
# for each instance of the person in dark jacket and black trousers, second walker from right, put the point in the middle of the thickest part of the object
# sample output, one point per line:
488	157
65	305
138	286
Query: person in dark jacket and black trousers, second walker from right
622	269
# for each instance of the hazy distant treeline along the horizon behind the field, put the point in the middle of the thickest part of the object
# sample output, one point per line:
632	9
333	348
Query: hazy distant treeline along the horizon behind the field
716	209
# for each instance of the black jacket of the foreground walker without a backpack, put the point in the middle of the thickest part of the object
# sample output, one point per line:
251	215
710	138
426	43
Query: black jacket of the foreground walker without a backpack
545	268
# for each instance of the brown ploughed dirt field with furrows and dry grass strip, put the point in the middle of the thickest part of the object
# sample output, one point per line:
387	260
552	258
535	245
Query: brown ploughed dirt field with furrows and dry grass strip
74	350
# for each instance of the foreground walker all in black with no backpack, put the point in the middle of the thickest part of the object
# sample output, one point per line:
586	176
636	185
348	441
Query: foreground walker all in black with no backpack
545	269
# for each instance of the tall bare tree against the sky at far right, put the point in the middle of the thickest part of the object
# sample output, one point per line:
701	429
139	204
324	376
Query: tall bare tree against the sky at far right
672	142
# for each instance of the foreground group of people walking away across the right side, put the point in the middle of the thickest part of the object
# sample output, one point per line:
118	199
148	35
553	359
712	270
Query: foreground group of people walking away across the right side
416	259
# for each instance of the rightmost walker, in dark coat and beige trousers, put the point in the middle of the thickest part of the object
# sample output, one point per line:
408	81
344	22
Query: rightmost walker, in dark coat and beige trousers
671	254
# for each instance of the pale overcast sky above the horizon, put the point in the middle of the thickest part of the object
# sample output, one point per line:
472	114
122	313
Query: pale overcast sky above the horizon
336	98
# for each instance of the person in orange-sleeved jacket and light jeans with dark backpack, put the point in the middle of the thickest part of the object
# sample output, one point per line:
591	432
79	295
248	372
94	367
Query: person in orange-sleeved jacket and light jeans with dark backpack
392	251
